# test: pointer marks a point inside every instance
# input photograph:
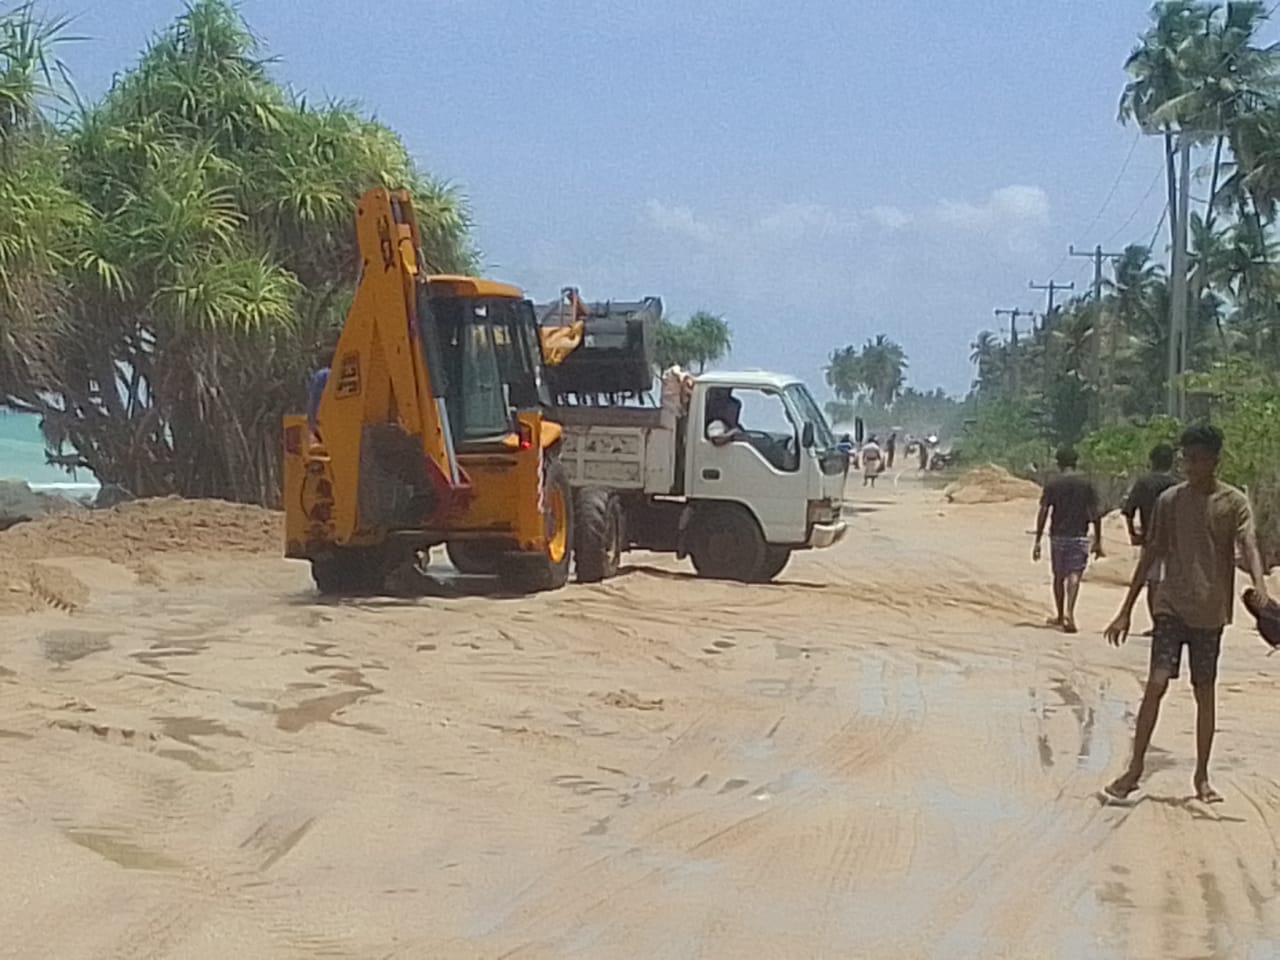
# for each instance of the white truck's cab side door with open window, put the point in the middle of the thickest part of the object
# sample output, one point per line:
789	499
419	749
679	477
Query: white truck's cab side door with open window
760	468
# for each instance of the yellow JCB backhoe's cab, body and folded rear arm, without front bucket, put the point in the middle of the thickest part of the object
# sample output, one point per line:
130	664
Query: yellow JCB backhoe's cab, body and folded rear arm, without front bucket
429	429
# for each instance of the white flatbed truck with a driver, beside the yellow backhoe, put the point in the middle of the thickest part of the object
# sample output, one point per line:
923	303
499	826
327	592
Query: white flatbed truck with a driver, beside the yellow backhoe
653	479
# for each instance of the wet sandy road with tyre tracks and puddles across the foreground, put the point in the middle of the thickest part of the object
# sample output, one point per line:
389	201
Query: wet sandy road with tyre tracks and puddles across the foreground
884	756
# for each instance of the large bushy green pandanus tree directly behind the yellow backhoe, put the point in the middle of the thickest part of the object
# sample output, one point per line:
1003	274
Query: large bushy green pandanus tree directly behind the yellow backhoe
217	252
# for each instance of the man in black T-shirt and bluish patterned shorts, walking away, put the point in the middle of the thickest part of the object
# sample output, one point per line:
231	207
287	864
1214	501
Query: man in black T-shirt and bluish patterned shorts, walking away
1073	504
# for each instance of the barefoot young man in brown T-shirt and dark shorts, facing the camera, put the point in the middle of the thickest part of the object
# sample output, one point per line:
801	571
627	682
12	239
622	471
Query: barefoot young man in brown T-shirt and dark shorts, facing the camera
1196	531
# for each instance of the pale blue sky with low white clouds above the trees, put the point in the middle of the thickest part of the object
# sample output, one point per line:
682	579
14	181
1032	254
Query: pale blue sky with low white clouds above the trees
816	172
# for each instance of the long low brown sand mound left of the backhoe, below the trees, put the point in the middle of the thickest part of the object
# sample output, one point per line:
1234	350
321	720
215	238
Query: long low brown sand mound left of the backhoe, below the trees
127	533
